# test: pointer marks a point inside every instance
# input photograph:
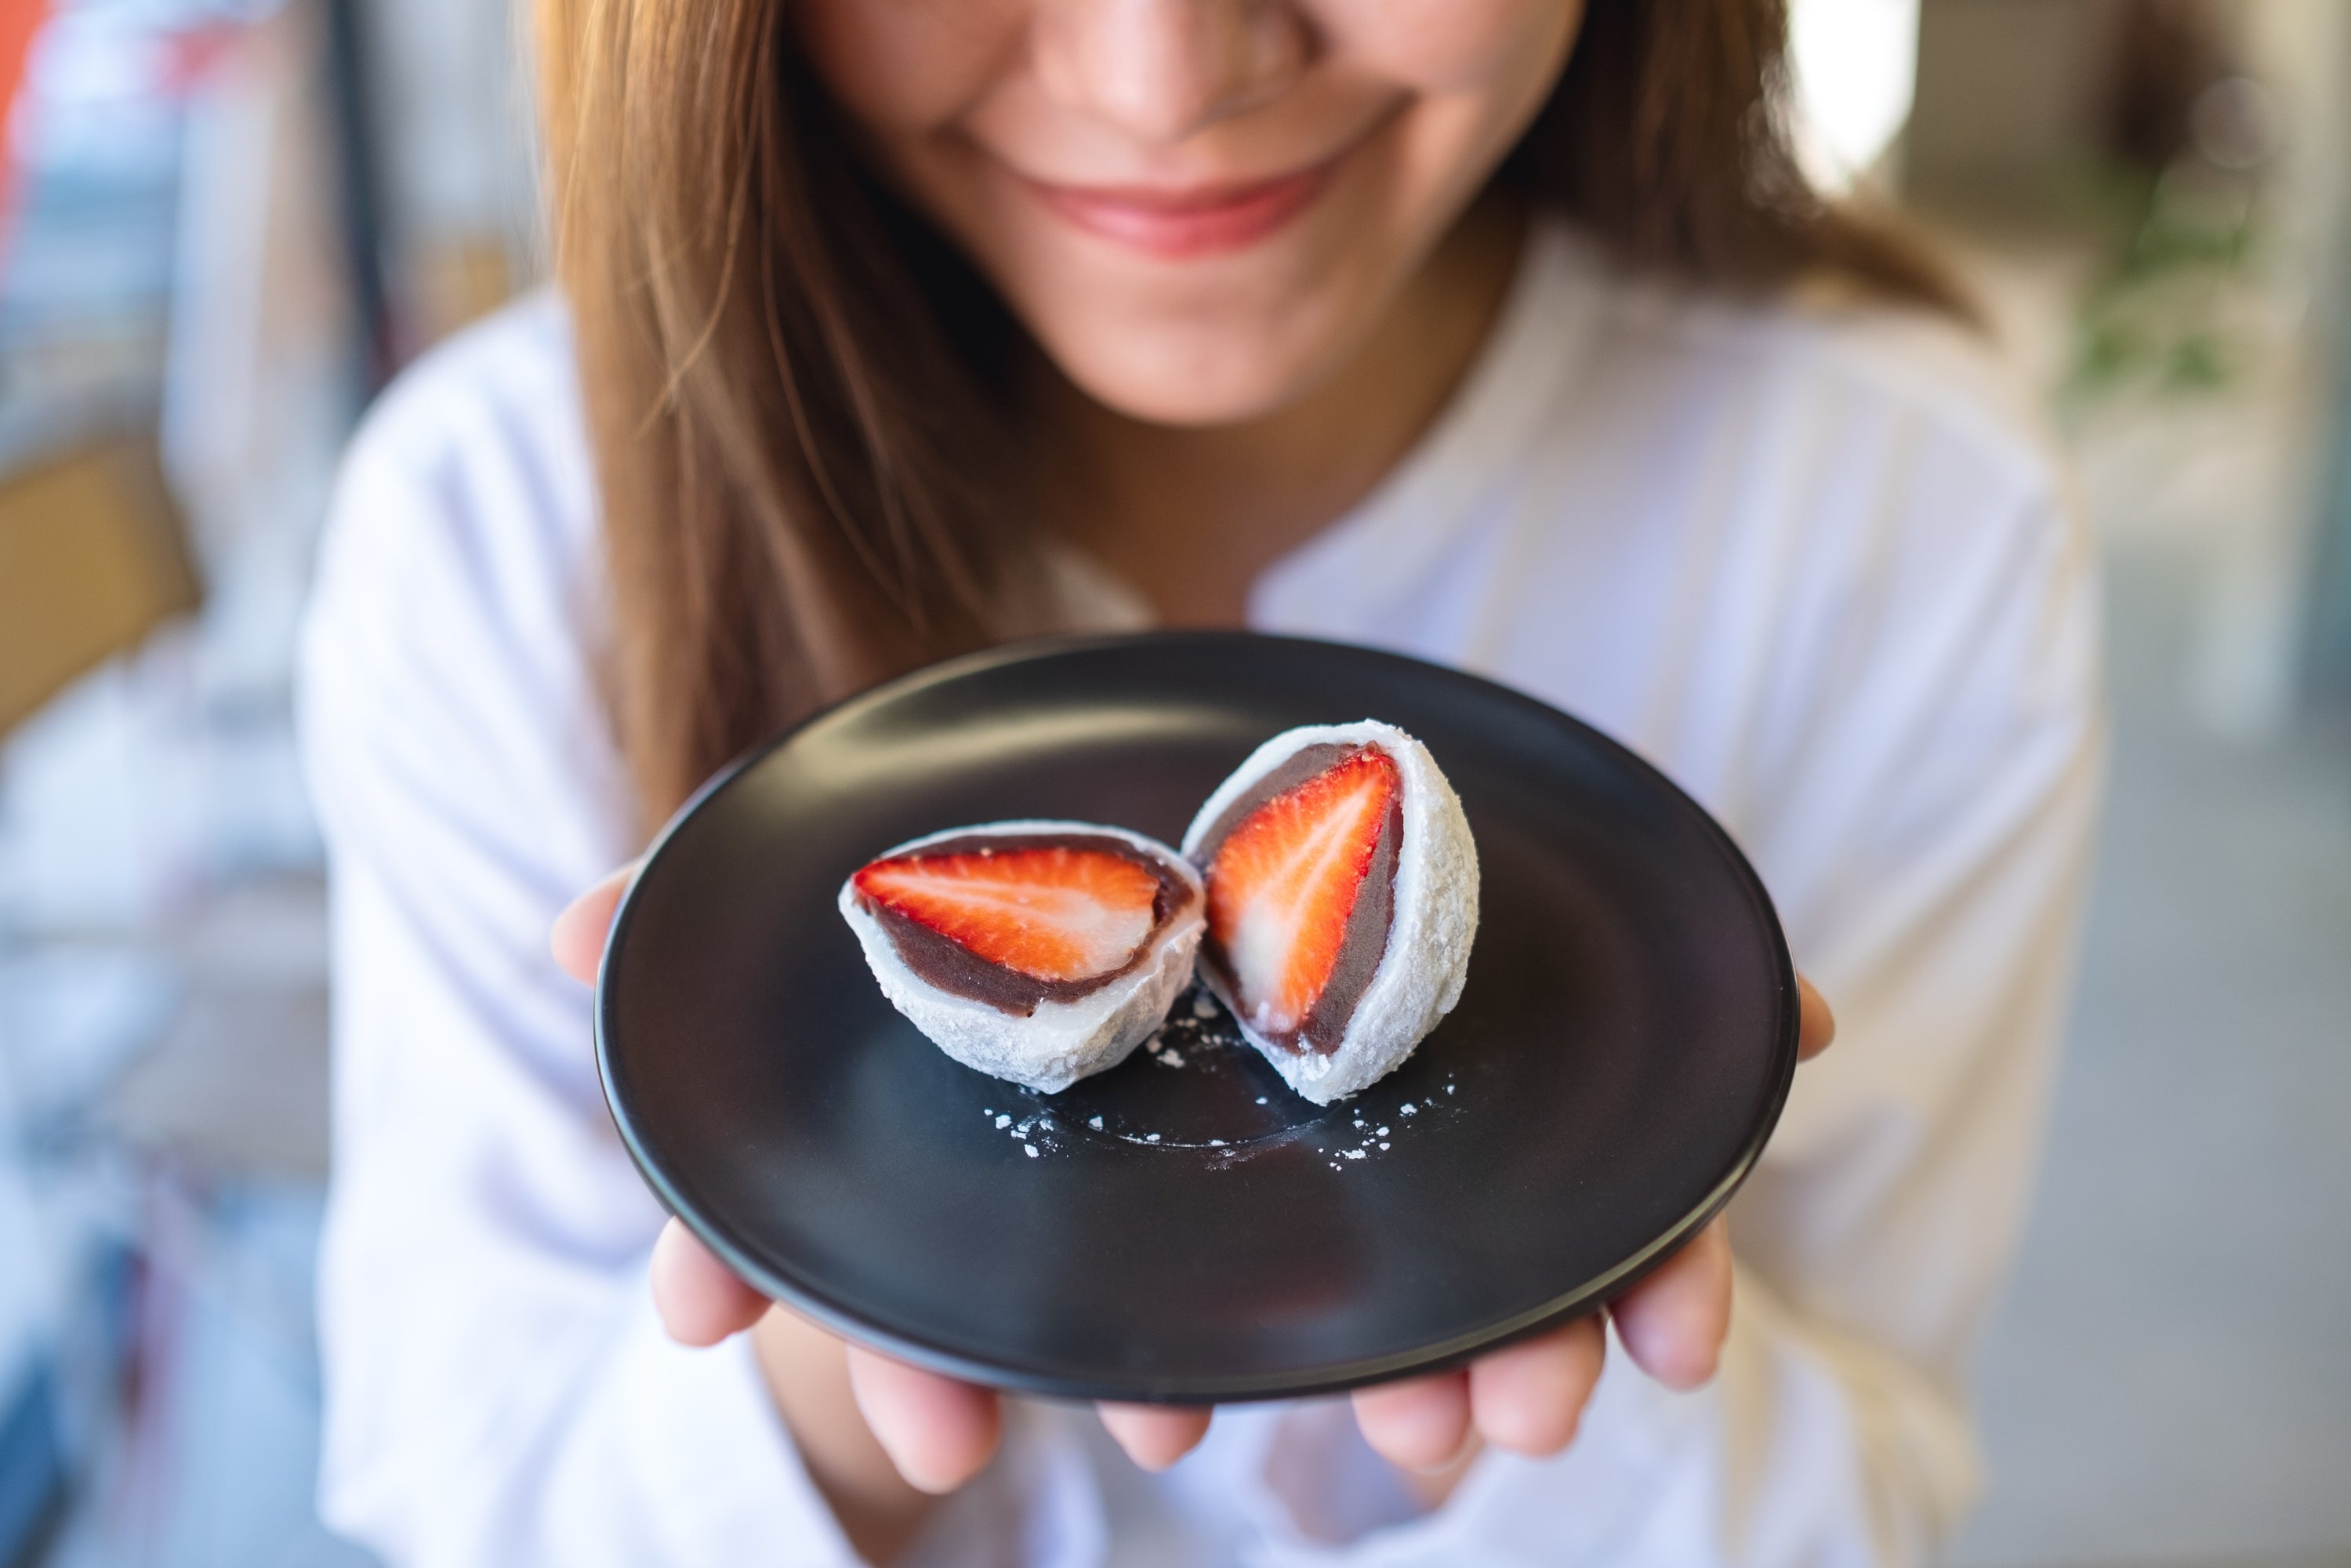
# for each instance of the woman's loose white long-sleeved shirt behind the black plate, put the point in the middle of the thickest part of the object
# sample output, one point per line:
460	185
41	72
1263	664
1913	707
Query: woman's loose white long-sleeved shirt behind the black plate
1811	565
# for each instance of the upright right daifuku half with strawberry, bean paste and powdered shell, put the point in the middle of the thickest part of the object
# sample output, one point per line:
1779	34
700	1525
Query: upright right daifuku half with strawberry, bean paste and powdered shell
1341	902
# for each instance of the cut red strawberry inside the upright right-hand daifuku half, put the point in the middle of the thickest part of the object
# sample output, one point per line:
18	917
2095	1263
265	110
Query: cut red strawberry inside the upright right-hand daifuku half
1285	883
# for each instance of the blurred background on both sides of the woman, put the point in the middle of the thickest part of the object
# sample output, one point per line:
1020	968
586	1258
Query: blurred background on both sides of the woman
227	222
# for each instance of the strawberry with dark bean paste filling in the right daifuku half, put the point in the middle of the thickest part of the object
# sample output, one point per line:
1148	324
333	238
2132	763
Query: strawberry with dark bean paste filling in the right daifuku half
1301	894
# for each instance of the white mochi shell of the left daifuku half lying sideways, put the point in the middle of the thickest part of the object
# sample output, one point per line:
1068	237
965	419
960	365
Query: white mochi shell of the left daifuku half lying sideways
1061	1040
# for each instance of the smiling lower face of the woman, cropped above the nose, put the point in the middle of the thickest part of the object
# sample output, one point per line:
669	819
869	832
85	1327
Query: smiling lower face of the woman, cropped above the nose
1200	208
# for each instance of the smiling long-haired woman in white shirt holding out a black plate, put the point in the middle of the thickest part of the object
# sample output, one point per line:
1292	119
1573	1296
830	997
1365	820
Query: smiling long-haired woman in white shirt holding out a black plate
1501	333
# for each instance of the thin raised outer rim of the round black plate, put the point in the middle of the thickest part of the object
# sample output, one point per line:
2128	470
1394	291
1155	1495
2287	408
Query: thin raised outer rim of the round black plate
1195	1391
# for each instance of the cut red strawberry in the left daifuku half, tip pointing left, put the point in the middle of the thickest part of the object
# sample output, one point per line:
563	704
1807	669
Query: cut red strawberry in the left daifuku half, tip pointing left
1050	913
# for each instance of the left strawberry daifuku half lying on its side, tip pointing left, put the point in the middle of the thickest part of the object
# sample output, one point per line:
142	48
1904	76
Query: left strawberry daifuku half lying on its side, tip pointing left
1036	953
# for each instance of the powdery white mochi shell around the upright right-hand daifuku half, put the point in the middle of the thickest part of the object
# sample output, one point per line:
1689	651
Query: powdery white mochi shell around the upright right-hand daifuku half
1428	939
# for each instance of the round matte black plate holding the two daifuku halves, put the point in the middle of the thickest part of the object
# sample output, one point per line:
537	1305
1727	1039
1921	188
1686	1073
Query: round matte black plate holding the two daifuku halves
1612	1073
